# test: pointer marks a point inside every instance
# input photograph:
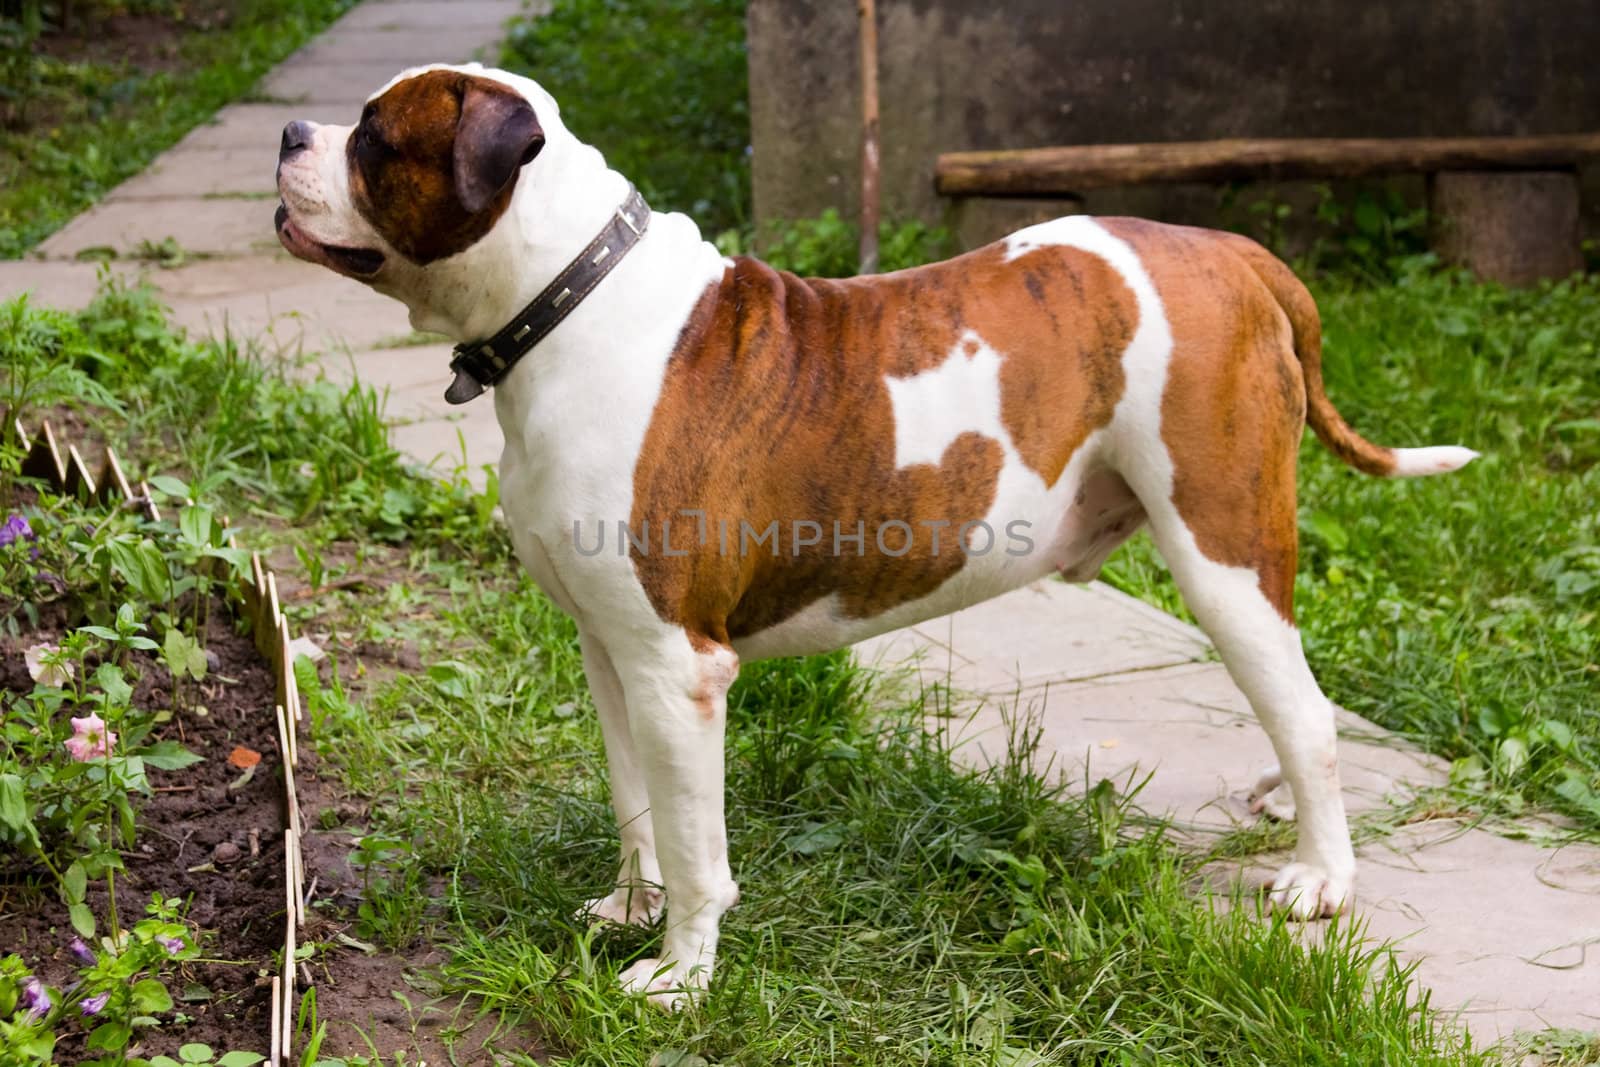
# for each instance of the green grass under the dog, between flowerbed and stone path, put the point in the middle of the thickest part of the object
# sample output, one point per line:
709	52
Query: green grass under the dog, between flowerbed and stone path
898	908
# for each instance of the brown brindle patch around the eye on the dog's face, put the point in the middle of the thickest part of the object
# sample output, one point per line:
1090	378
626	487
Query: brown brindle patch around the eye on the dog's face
404	166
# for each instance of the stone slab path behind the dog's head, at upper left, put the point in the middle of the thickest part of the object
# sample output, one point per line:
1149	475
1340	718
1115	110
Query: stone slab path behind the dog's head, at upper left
214	196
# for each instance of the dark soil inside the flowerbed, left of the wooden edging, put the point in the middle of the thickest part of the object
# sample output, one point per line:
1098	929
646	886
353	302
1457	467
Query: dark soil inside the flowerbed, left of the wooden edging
225	1001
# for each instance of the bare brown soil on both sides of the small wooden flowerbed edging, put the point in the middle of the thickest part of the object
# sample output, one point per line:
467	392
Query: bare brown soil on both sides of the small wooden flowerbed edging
370	999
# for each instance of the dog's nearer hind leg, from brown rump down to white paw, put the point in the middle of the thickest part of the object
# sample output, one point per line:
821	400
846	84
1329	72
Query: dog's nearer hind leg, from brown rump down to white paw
1207	436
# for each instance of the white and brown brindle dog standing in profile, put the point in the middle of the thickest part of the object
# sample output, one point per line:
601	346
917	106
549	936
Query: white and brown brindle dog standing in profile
780	455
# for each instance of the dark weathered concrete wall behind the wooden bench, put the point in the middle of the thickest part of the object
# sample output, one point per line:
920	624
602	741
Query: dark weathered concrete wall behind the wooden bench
993	74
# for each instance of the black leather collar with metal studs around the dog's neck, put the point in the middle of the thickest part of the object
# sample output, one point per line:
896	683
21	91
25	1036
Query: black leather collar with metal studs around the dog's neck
484	364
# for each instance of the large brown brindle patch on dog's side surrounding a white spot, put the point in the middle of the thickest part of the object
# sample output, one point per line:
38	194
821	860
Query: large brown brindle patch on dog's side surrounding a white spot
775	409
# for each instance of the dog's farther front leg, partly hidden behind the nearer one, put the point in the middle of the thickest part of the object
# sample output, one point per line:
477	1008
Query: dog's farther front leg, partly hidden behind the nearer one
638	895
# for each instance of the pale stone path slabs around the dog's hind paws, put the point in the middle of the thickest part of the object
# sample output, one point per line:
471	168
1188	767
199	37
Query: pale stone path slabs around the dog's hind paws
1505	932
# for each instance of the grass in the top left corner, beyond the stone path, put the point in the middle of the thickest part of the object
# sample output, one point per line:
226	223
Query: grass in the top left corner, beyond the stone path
110	121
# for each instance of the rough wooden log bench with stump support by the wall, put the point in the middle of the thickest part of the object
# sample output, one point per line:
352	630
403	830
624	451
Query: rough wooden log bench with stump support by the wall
1506	207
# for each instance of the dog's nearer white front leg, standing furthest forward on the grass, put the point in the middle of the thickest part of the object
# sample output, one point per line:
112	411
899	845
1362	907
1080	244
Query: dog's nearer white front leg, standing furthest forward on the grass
678	709
